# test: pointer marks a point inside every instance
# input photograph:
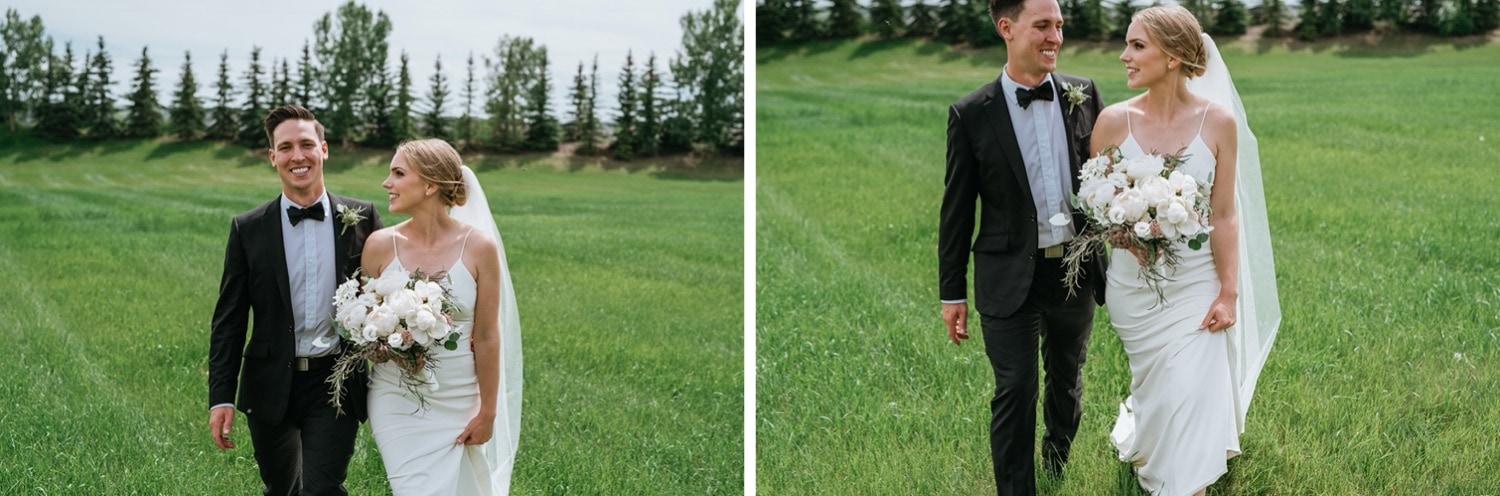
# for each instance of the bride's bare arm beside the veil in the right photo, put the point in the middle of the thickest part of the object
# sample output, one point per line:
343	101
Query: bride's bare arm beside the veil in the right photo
1225	241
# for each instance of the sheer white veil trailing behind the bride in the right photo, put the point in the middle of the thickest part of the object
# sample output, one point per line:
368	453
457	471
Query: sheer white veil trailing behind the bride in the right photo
1259	309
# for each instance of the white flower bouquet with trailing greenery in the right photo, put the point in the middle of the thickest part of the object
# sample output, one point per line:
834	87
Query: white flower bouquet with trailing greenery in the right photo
1144	205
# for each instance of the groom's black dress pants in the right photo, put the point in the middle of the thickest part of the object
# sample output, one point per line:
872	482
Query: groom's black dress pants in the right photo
1061	326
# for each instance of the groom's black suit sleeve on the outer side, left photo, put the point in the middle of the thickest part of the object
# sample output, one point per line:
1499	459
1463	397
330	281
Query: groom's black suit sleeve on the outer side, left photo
230	318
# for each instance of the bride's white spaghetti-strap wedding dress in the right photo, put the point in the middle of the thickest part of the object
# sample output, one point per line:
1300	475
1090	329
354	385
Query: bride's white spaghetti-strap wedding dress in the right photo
1178	428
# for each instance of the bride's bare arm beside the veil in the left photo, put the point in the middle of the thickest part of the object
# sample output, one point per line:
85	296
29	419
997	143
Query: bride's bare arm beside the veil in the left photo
487	338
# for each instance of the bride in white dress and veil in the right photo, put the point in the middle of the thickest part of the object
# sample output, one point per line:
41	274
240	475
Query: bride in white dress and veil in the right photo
1195	357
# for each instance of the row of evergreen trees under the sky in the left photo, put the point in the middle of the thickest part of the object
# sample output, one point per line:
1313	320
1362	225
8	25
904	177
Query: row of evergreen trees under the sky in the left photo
499	104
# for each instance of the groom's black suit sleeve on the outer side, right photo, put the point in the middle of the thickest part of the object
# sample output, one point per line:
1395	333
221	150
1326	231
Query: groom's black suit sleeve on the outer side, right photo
956	224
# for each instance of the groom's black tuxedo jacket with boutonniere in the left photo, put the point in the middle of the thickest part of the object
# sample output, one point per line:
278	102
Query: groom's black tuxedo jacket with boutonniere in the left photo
256	282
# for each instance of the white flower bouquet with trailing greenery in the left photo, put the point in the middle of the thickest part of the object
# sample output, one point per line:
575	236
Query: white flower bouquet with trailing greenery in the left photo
398	317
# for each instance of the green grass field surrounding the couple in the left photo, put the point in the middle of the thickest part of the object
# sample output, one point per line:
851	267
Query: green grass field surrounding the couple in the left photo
629	282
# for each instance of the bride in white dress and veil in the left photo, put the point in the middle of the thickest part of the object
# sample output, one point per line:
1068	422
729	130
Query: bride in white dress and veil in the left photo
464	440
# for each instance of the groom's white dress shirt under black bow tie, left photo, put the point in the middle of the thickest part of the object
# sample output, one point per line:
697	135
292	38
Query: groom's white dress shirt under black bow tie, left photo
311	279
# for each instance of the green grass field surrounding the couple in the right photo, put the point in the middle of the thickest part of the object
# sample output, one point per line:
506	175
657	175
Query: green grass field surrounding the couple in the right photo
1381	181
